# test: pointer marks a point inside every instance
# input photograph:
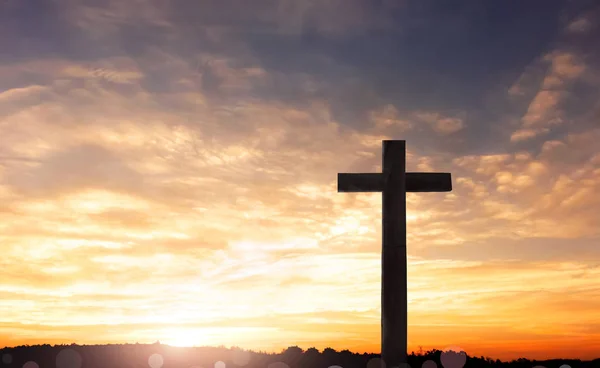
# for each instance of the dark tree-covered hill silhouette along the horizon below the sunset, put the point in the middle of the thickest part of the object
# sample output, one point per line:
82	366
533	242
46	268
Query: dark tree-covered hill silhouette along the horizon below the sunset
164	356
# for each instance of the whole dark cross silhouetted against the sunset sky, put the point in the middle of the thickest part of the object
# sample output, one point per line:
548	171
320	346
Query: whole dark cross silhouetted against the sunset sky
393	183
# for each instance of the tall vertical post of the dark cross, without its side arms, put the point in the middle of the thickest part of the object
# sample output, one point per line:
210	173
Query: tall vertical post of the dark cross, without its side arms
393	257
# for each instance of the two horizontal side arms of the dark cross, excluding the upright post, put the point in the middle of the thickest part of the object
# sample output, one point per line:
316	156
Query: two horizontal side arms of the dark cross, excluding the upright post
415	182
